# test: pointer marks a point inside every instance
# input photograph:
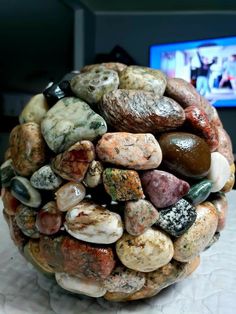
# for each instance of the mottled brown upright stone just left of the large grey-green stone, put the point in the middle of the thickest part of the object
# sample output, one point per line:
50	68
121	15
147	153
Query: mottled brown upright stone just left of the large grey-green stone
27	148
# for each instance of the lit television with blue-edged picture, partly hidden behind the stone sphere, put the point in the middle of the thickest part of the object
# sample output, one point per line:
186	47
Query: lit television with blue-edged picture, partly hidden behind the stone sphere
209	64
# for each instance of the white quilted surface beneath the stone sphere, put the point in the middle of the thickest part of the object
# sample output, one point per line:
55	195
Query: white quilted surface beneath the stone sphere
211	289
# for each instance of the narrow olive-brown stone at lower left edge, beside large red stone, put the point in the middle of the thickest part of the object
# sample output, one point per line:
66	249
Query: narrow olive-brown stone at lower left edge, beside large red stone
32	254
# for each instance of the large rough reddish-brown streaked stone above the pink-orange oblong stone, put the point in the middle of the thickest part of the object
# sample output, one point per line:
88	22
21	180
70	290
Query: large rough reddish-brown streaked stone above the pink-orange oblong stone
139	111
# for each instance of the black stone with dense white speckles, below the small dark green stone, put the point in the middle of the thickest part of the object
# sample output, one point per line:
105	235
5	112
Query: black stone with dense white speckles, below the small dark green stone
178	218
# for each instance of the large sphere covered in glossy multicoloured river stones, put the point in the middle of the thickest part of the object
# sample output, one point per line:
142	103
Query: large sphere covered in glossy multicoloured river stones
115	179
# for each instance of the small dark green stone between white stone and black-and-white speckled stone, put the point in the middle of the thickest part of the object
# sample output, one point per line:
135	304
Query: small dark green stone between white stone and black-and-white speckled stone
199	192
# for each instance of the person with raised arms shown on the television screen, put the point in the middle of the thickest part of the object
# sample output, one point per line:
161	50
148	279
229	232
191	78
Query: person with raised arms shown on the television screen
202	83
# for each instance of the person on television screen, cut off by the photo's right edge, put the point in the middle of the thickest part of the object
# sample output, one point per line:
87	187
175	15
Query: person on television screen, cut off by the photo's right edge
230	73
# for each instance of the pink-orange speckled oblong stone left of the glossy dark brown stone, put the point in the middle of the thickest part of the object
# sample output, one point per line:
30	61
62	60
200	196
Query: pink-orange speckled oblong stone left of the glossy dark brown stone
135	151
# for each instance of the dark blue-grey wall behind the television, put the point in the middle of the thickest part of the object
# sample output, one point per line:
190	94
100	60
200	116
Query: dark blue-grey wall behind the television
136	32
